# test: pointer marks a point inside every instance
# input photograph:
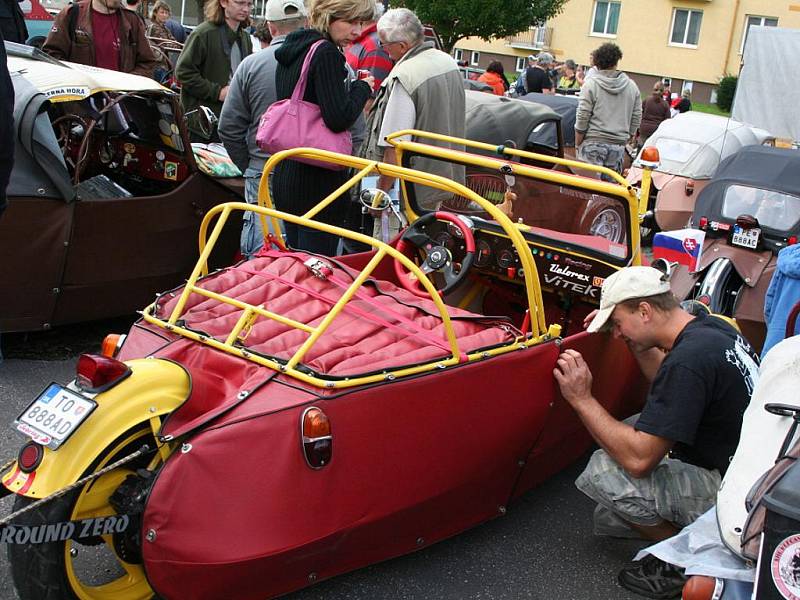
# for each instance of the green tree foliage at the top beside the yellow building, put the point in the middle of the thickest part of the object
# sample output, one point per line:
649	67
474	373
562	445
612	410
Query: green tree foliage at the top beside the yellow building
457	19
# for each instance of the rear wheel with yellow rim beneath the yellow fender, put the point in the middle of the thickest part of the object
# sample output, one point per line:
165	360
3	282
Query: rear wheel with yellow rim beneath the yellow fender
84	569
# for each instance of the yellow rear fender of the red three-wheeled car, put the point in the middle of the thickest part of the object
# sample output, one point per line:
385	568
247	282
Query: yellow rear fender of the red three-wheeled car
155	388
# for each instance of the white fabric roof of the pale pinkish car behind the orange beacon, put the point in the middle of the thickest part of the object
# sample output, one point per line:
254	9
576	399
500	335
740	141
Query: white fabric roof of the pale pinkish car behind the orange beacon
692	144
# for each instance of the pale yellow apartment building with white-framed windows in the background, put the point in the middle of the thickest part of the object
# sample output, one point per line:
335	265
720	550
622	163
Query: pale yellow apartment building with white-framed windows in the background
689	43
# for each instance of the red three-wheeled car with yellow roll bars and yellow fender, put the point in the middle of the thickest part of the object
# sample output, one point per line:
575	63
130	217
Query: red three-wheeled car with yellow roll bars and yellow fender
293	417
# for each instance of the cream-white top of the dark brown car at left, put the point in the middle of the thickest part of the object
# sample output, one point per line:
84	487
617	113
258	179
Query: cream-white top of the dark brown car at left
76	82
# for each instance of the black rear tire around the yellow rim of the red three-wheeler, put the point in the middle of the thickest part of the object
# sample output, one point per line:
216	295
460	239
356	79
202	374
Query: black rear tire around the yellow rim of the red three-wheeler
40	571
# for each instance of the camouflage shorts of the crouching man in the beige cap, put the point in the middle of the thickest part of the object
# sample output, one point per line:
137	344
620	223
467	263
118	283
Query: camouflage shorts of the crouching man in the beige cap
674	491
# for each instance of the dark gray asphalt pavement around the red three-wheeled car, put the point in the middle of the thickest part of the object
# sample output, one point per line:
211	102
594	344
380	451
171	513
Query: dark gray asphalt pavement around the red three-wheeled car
542	548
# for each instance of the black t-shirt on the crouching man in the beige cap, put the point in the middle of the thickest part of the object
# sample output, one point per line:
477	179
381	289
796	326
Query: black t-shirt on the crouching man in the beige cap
700	393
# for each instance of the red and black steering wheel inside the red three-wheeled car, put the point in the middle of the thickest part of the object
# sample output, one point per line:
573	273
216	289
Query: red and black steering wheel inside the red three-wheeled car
438	258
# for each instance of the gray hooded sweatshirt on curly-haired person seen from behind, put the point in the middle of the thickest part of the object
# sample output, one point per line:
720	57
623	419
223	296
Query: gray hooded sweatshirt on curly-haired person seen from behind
609	108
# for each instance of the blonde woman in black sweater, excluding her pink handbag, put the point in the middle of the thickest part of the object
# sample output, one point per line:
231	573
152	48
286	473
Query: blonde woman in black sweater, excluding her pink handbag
297	186
